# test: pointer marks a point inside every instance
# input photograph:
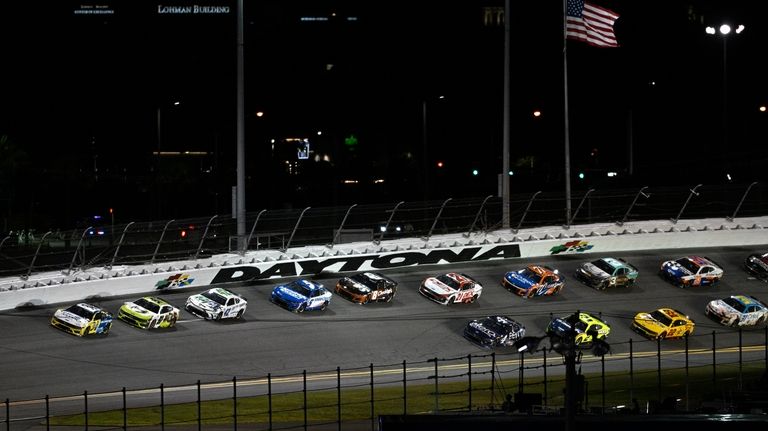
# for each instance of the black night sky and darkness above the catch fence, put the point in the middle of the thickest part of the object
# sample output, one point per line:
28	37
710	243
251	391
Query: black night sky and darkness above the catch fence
81	95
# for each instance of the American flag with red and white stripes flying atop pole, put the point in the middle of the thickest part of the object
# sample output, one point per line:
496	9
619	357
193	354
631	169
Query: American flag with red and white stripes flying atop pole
591	24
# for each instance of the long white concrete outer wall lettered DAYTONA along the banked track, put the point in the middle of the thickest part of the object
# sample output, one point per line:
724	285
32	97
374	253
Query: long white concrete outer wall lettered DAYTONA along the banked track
53	288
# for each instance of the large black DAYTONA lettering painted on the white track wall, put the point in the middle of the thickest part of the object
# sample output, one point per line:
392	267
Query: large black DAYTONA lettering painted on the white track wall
364	263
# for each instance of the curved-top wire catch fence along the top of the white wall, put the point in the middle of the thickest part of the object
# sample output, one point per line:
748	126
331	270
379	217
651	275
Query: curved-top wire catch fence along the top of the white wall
196	238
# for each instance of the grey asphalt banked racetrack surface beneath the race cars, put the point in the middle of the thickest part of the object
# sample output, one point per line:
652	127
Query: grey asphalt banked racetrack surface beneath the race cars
38	360
